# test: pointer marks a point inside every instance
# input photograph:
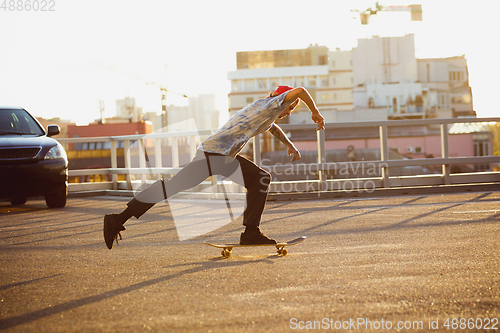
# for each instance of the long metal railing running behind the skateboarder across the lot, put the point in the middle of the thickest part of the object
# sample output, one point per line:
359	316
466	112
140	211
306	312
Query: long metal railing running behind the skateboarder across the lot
148	173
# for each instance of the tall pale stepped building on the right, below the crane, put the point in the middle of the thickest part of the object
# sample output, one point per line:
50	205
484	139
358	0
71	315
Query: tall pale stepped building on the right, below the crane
390	83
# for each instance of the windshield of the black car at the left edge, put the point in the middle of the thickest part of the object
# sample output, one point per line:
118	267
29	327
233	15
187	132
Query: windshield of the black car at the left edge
18	122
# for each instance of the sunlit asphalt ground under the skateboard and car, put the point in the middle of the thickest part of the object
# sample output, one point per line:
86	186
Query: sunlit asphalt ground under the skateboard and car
427	263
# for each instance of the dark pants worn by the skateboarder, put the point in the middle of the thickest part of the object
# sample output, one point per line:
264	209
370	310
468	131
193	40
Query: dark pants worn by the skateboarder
239	169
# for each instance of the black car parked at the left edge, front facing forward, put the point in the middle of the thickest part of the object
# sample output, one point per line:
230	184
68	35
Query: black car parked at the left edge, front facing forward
32	163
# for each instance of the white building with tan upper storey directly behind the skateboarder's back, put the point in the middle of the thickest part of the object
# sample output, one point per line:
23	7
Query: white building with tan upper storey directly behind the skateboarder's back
326	74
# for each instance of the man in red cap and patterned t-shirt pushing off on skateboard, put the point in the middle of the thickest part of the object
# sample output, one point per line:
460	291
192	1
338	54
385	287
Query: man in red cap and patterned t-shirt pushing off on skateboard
219	155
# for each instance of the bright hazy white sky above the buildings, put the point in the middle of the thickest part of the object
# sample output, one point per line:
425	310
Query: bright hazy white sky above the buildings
62	63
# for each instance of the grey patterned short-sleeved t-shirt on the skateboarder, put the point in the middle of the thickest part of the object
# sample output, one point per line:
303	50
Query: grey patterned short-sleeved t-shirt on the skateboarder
253	119
